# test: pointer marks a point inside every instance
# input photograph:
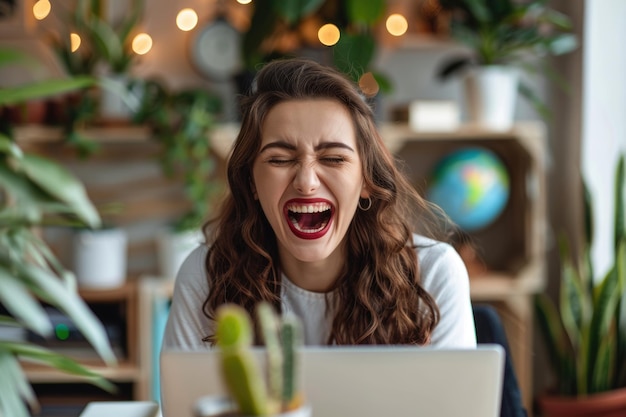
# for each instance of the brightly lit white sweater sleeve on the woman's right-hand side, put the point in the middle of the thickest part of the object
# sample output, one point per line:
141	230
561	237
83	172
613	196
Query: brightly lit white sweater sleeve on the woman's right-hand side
445	277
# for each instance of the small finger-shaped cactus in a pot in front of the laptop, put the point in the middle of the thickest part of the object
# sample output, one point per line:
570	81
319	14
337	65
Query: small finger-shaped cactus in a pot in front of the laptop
253	392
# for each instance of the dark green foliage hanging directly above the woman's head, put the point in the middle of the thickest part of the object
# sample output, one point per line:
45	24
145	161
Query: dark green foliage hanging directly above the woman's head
356	19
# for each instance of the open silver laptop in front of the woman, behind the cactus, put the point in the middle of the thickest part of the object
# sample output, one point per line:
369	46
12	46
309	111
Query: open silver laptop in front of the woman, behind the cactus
363	381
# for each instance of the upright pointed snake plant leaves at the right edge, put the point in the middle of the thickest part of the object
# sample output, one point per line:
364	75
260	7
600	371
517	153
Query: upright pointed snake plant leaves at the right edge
585	334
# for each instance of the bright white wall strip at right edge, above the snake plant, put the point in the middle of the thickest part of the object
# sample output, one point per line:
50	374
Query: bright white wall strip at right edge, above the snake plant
604	115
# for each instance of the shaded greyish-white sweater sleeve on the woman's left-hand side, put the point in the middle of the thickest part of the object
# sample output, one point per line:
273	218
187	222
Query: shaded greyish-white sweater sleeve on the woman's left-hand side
186	324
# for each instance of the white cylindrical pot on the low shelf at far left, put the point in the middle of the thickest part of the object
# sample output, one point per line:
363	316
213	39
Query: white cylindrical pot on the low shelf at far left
100	257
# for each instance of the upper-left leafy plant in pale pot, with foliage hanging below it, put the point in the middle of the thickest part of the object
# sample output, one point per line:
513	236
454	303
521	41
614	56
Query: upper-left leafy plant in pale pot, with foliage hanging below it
105	52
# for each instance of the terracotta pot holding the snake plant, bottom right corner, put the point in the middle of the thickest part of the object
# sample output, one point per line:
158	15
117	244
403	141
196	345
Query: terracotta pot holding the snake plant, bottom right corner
608	404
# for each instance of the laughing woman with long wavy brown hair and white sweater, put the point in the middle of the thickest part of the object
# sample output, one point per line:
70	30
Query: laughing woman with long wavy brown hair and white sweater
322	223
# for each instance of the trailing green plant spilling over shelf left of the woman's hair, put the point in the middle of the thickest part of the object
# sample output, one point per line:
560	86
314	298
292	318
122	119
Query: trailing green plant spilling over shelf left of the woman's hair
183	121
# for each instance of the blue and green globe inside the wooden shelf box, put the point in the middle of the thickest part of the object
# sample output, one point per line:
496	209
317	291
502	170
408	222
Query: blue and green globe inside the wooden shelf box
471	185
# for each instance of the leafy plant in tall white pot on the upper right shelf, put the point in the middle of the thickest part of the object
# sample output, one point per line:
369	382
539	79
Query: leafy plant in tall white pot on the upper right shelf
502	38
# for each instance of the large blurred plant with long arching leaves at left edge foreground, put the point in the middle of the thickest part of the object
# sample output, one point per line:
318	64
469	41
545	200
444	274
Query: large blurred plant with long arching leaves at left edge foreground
35	192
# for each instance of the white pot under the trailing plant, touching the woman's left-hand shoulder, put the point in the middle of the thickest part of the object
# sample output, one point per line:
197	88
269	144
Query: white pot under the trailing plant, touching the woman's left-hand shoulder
173	248
